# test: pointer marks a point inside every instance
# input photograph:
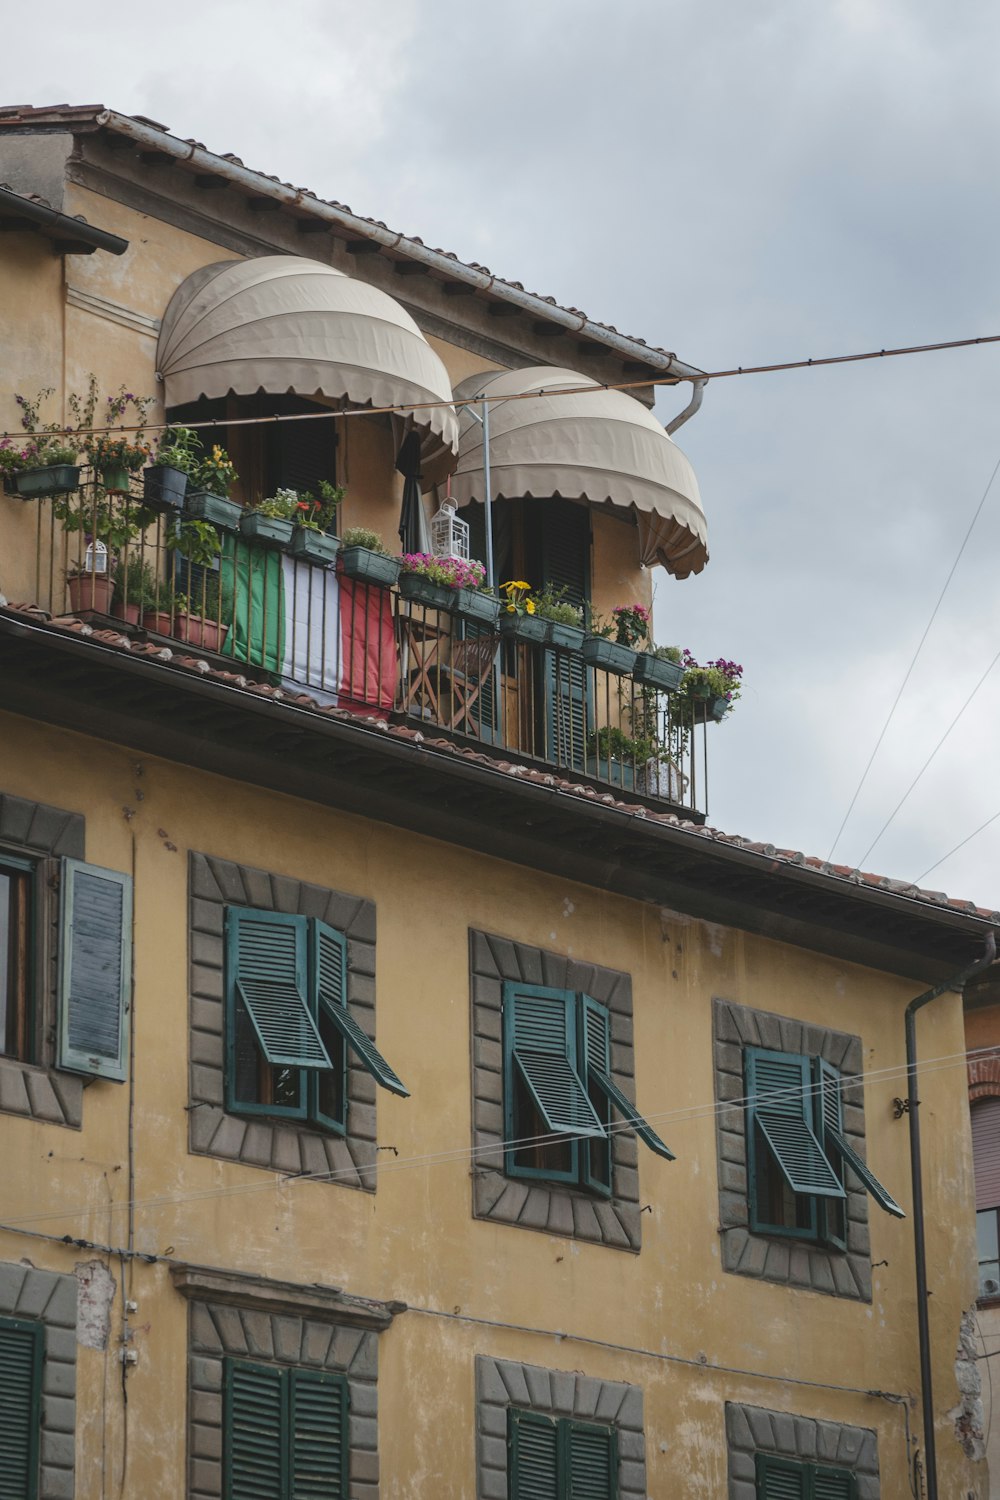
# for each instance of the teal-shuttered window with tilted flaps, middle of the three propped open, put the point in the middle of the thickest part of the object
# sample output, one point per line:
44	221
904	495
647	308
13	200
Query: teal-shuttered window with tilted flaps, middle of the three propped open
560	1097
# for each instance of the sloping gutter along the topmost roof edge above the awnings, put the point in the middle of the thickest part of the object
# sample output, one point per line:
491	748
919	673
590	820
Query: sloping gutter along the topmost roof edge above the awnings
341	220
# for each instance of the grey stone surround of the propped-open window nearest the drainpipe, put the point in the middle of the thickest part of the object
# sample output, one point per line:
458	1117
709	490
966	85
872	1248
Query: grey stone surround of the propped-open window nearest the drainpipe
771	1258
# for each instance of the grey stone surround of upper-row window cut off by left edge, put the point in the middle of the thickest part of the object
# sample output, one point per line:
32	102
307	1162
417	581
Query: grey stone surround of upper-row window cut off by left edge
37	1090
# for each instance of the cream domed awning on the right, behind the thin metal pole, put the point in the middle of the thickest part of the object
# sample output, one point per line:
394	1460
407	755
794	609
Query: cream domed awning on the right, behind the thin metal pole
603	448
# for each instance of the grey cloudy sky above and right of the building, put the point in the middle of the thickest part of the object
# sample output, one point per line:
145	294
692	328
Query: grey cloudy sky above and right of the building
740	184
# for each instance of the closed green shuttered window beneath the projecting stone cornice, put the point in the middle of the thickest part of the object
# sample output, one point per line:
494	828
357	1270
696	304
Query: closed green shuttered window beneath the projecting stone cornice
286	1432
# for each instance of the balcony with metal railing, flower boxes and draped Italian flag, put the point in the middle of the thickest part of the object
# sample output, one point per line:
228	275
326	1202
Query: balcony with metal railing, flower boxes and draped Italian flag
248	607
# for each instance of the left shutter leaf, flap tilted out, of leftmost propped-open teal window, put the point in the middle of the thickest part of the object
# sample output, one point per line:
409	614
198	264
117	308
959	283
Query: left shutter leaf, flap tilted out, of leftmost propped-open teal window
268	965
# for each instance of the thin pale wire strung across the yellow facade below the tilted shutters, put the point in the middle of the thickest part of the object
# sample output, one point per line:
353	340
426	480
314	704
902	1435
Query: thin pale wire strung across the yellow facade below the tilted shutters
458	1156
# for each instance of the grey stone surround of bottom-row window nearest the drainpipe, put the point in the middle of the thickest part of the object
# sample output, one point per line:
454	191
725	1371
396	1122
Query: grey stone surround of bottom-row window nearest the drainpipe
753	1430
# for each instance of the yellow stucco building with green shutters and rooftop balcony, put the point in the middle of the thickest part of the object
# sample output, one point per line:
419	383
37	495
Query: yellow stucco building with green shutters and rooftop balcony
403	1090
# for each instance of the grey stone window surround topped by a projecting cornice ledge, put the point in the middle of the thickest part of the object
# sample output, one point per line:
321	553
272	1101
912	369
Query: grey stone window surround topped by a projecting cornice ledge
281	1324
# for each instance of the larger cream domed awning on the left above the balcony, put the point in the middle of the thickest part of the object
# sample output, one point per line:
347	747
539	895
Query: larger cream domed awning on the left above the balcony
284	325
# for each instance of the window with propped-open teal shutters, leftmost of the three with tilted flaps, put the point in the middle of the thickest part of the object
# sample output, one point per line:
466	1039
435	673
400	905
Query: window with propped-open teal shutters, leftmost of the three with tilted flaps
289	1028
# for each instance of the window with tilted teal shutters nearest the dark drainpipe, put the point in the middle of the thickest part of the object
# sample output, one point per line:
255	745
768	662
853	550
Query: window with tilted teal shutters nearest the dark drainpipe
797	1150
